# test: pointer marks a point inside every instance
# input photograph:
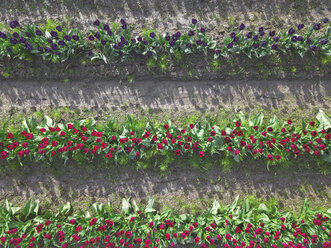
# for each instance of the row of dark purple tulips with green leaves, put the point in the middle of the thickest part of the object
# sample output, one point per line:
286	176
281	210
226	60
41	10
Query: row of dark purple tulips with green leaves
104	43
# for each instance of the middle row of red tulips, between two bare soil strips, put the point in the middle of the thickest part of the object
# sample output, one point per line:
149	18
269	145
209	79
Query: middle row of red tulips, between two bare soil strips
274	141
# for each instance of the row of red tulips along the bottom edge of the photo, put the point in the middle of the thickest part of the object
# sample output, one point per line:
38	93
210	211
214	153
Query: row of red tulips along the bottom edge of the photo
235	225
